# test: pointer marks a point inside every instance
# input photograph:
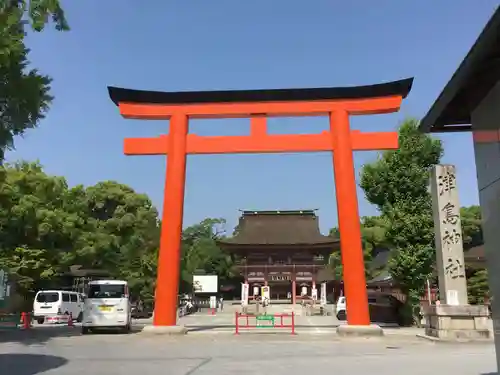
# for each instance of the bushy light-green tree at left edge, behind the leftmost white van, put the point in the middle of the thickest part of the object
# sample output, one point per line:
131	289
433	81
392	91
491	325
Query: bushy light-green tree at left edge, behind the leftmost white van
36	231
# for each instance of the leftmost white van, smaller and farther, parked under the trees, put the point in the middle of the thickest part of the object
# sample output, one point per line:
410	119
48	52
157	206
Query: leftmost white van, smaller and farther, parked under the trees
50	305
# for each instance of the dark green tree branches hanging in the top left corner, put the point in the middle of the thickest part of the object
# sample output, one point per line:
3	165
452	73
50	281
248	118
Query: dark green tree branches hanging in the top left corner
24	92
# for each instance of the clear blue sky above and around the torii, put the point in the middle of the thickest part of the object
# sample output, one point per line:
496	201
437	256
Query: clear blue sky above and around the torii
221	44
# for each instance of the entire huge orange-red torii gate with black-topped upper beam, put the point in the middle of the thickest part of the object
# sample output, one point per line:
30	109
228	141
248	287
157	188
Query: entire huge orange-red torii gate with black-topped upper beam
337	103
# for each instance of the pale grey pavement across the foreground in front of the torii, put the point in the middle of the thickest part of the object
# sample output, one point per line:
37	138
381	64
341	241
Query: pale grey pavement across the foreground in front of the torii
62	351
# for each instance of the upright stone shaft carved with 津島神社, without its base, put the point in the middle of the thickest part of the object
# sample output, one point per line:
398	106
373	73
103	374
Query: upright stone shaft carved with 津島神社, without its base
449	244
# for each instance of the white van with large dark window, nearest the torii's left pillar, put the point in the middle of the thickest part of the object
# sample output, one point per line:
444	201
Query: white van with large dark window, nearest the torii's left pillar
107	306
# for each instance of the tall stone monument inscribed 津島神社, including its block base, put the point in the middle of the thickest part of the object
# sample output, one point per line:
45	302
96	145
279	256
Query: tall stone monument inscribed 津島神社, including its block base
453	318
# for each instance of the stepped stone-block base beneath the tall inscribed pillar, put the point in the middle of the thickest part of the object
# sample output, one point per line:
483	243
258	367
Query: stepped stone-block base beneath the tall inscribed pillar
457	323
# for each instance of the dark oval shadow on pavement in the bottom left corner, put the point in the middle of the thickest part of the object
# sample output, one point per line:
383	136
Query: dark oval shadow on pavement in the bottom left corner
29	364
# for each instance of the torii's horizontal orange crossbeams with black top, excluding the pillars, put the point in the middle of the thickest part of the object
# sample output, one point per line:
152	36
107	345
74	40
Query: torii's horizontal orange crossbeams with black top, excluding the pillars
259	104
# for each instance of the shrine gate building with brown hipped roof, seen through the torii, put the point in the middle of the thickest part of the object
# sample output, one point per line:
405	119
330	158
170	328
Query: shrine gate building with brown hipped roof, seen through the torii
282	249
